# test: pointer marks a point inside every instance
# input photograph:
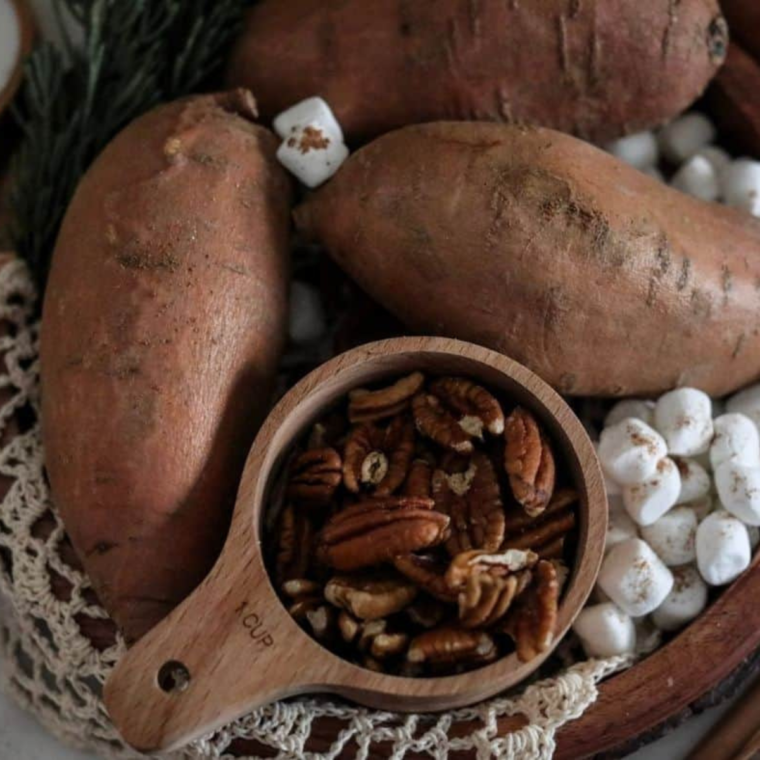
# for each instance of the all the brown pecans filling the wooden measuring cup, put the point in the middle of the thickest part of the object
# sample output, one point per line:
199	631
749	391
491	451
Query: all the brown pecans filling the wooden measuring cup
422	532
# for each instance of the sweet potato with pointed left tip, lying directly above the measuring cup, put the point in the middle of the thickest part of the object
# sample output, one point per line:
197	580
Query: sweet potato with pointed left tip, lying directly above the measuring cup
529	241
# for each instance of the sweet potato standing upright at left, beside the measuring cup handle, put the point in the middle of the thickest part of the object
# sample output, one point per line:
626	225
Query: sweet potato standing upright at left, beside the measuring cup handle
162	326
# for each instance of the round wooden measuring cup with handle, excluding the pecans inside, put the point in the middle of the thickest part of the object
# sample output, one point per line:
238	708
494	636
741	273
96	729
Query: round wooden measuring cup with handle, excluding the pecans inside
232	646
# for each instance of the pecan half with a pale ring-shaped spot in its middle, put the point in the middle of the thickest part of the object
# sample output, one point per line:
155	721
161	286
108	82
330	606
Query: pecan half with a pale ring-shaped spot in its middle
379	458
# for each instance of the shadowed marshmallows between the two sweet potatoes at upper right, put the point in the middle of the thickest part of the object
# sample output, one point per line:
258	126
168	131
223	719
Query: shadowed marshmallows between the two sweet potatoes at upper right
701	168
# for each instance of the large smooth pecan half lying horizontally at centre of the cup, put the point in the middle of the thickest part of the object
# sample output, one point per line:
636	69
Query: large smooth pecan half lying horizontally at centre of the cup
376	531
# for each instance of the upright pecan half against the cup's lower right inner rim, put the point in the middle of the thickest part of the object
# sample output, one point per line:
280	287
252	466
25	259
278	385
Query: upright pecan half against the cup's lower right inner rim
532	621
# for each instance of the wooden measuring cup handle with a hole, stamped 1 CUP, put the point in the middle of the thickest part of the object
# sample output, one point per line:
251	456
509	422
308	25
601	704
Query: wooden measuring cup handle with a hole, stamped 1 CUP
229	648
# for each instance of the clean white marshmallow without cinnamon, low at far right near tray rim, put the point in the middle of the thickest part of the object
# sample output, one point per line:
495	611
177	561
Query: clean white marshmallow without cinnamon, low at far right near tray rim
723	550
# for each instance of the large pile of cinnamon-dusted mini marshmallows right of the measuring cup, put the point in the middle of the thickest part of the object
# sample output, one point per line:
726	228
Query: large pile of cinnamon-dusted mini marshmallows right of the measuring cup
684	494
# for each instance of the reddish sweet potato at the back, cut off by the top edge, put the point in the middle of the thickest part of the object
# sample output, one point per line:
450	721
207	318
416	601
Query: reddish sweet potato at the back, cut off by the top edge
595	68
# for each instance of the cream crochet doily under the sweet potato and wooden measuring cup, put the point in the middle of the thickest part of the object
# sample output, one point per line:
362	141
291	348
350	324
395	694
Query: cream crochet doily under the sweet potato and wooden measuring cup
56	672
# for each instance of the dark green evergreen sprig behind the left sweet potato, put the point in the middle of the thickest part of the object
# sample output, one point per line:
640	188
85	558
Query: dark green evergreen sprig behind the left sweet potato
132	55
